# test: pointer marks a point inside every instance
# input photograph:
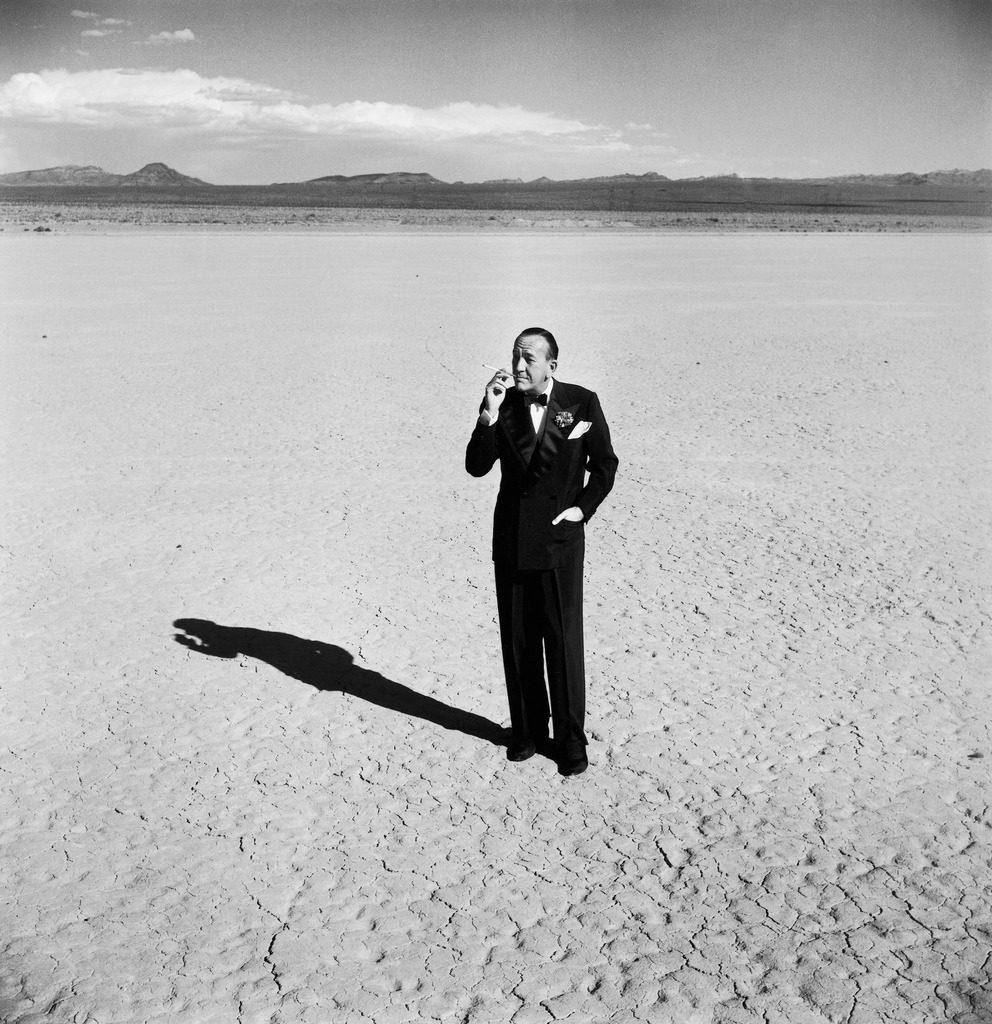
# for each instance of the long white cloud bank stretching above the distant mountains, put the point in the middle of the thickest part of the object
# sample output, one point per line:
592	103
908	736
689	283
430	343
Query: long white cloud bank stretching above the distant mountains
183	100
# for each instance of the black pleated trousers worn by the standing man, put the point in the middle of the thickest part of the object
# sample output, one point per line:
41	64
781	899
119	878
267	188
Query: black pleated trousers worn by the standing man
541	623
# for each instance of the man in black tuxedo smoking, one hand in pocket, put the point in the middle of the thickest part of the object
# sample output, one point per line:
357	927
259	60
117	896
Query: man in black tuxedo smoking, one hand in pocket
547	436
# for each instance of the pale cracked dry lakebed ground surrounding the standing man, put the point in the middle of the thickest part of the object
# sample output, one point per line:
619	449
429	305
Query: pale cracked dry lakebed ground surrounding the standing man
303	812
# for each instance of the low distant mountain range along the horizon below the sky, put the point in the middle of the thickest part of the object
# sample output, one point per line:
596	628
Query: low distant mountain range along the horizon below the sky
159	176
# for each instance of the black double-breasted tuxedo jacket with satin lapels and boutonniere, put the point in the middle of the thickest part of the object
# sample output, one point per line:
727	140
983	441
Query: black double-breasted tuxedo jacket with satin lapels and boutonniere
543	476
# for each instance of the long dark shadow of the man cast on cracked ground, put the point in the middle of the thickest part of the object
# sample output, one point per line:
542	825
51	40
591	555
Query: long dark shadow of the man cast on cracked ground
327	667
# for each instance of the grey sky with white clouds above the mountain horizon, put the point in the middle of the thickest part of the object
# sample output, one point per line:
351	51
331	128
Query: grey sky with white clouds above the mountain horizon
260	92
